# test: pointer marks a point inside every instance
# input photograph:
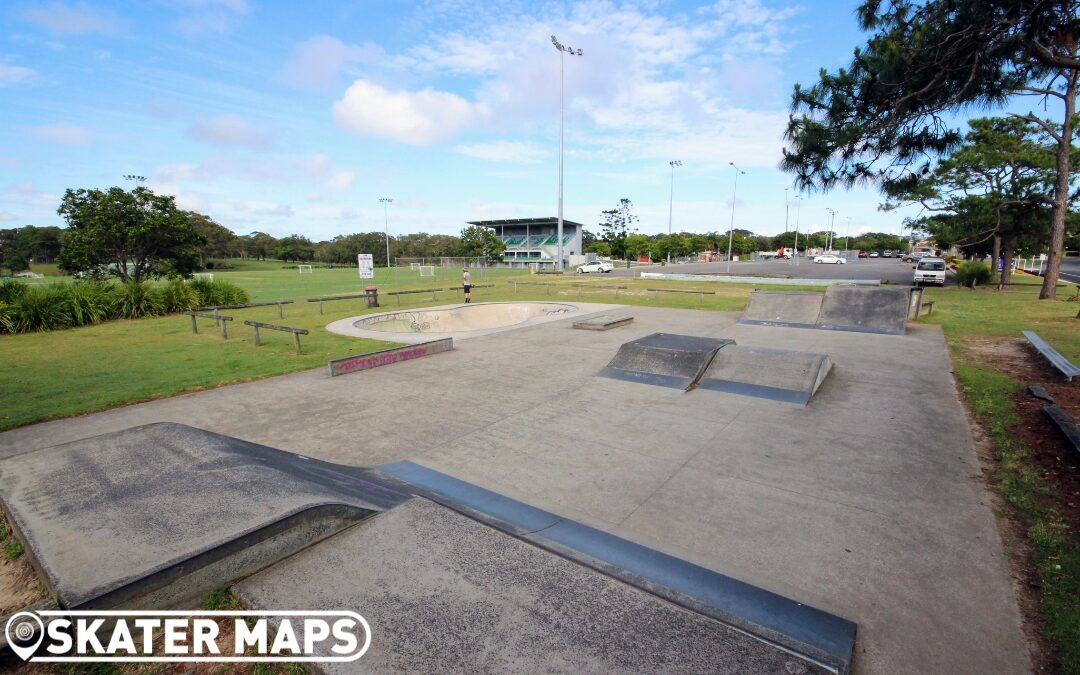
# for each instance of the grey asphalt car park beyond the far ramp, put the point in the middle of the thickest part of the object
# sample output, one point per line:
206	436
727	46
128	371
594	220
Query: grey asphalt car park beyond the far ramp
886	269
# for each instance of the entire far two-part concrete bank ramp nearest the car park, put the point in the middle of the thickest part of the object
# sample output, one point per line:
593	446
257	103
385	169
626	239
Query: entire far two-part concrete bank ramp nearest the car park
860	309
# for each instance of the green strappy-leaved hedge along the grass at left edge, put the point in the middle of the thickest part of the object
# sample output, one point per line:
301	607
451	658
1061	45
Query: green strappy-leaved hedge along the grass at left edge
53	307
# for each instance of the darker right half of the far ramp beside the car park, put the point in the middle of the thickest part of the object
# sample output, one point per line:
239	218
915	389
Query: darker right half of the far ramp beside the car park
866	310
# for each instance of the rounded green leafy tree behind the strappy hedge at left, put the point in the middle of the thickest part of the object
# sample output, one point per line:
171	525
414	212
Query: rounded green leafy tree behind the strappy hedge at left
133	236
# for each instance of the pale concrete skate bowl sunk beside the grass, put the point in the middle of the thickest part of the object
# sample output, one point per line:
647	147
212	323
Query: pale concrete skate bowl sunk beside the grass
458	321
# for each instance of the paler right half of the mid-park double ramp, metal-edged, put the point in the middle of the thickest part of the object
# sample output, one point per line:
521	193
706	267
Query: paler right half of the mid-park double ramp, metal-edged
775	374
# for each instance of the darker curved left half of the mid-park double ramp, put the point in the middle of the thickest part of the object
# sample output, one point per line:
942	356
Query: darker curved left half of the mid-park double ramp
663	359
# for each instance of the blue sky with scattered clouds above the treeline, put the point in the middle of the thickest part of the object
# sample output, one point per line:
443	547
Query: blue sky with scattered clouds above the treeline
298	117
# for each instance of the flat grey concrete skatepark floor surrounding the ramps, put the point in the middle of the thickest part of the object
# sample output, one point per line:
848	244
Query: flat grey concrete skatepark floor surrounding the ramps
866	504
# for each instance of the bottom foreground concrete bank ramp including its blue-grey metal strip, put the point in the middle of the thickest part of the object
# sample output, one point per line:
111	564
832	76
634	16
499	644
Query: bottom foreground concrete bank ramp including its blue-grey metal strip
463	579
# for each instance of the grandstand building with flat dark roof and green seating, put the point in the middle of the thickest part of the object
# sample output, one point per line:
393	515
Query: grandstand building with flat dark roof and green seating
536	240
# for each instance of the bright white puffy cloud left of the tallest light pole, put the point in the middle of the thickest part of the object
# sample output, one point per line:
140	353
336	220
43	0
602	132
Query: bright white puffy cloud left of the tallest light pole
416	118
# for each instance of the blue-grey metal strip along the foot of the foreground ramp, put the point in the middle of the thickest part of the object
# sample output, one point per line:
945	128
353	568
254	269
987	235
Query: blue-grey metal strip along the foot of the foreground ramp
792	626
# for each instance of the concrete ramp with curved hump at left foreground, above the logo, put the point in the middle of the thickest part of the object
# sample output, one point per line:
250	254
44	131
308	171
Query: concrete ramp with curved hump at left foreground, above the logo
163	514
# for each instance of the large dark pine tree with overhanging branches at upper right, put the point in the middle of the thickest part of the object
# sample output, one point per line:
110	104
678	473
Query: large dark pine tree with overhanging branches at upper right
884	118
